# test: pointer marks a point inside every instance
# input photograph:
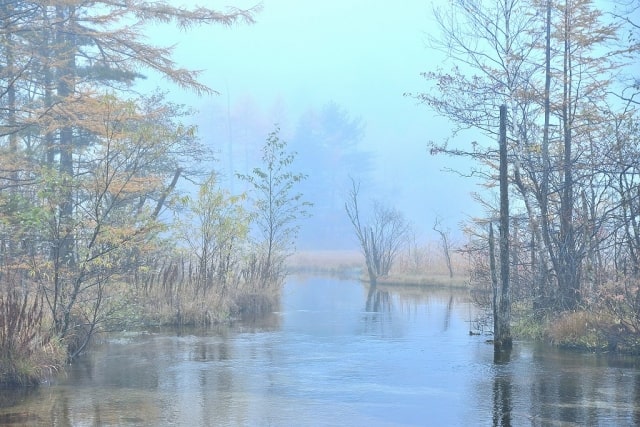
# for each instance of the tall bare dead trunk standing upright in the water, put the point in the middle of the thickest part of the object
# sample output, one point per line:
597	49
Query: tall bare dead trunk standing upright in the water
502	300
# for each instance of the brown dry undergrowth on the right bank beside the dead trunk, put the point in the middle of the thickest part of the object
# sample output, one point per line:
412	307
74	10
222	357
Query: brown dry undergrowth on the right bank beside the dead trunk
607	319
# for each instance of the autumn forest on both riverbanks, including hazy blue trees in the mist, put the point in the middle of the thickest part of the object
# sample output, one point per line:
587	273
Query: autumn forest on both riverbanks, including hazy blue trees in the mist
95	234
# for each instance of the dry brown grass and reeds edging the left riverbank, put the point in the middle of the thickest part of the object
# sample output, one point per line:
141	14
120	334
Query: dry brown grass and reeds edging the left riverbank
30	353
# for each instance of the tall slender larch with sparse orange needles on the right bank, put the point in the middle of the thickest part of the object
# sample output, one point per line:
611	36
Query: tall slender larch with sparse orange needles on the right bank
581	78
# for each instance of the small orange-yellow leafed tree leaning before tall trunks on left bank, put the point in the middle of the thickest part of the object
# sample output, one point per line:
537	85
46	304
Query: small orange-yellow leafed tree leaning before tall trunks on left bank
117	176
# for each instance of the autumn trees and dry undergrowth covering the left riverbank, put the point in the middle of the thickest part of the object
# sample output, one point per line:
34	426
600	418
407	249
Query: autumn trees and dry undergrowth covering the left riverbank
94	234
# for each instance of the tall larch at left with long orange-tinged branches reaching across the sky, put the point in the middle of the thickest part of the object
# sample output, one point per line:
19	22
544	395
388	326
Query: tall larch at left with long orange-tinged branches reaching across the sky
103	44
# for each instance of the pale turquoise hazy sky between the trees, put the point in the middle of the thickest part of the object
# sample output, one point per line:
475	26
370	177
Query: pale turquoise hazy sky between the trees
361	54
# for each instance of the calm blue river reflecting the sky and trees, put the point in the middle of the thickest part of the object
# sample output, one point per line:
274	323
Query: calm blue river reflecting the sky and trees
335	354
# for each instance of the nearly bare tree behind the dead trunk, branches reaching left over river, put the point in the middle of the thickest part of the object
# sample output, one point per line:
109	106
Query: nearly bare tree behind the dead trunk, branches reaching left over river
493	52
